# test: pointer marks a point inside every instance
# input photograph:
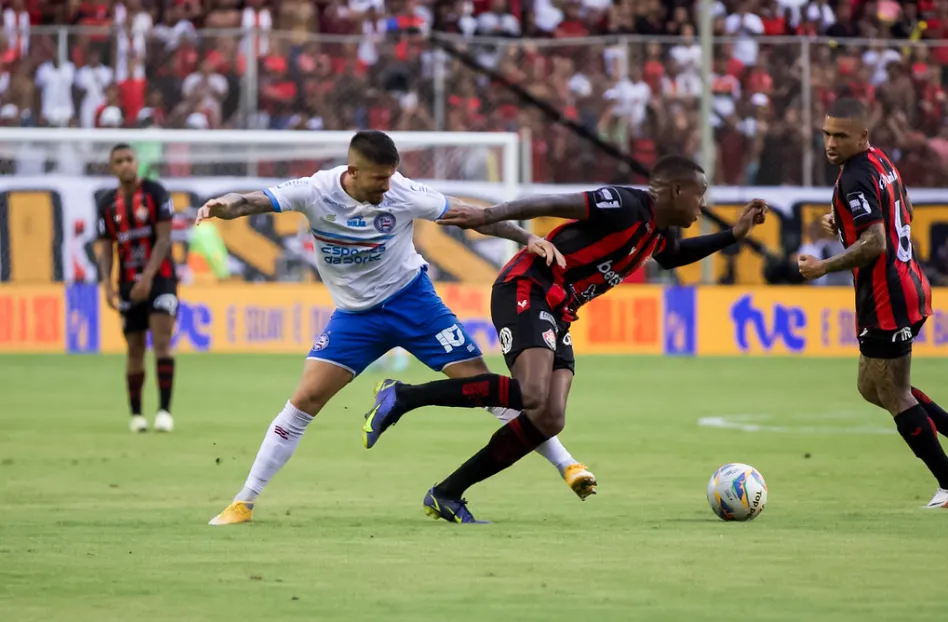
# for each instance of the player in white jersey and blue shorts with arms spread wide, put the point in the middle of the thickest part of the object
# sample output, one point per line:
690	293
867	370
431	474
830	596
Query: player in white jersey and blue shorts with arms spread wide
361	216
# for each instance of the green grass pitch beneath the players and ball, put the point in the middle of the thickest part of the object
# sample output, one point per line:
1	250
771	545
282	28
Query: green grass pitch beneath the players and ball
99	524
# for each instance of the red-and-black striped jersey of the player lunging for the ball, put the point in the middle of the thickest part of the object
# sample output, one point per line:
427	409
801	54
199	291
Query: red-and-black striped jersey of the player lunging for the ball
617	236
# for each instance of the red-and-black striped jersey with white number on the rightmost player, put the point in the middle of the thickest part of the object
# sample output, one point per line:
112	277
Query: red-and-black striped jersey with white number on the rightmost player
892	291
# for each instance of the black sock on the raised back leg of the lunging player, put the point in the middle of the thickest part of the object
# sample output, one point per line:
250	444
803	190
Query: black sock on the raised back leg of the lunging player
483	390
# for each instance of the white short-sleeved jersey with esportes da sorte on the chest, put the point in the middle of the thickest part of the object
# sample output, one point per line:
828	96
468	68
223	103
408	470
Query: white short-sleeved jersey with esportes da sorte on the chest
367	253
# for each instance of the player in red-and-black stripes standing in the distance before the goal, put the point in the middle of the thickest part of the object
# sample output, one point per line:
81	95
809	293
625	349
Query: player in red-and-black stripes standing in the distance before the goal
136	218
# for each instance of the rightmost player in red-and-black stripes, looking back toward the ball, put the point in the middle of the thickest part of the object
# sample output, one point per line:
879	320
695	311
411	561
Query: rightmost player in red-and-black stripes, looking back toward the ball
871	213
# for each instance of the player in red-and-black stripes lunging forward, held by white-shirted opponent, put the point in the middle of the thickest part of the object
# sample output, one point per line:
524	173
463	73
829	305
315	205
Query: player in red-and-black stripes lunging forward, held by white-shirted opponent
612	232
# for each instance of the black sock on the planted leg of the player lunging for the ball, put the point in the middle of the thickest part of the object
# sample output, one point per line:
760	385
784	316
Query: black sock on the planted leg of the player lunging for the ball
508	444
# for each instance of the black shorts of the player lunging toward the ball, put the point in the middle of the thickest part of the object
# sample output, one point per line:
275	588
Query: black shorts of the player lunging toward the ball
523	319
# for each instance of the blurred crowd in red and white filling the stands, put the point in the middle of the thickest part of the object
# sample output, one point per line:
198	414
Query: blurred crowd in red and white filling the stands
626	70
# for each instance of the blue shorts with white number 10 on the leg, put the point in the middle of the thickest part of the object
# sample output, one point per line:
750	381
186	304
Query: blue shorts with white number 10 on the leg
415	319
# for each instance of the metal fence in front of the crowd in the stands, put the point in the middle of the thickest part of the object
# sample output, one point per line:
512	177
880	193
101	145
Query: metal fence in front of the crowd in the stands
640	93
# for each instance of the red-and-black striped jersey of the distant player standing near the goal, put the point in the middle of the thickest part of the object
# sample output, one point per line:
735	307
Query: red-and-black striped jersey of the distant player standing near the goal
129	221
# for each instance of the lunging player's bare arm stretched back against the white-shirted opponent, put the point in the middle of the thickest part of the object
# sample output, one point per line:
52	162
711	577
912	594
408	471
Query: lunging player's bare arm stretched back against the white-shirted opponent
572	206
